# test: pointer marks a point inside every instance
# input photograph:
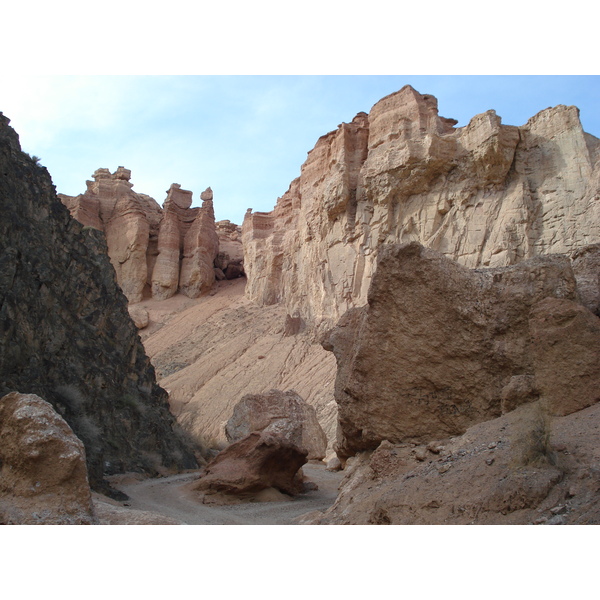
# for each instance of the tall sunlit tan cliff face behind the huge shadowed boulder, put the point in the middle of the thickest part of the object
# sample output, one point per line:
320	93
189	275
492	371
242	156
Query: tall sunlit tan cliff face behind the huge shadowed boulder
485	195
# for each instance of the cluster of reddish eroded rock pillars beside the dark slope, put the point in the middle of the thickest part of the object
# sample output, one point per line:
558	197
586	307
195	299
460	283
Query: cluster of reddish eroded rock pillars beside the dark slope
164	250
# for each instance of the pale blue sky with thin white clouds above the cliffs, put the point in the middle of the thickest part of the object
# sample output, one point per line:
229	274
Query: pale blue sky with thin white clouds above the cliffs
245	136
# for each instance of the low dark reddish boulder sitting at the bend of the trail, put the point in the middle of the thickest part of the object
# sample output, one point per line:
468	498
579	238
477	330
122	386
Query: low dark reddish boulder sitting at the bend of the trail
257	462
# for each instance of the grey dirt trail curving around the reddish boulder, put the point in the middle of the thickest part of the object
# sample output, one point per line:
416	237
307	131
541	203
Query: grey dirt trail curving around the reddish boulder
166	496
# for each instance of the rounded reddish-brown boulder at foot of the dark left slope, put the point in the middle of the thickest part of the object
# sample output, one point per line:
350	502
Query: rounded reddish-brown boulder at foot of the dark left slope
43	476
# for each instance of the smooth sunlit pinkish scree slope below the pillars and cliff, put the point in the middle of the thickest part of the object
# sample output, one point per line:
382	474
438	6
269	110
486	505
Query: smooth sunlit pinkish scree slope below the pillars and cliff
219	348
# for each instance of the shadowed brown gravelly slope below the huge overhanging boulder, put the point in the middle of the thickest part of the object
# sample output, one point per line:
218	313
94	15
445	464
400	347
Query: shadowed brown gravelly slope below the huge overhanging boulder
521	468
